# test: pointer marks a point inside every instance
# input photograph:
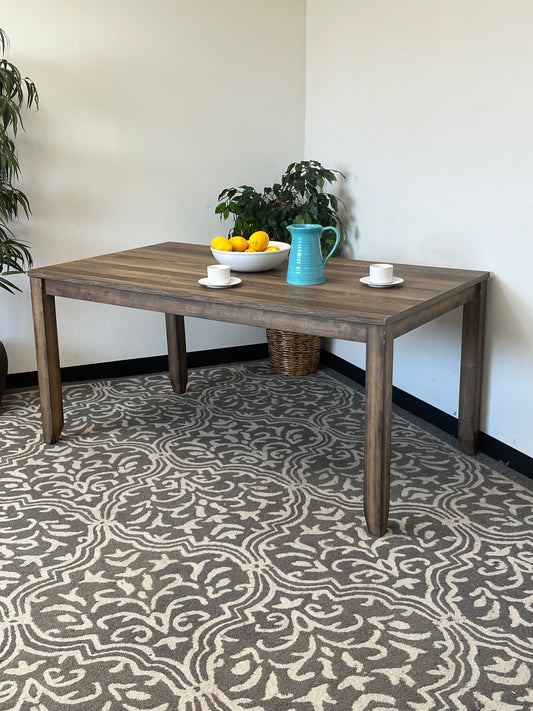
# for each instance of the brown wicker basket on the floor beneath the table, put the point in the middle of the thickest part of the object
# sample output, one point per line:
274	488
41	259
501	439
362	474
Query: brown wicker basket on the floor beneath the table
293	353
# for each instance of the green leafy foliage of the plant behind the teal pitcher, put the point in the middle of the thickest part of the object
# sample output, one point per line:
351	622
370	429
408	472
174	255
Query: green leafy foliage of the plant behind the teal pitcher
299	198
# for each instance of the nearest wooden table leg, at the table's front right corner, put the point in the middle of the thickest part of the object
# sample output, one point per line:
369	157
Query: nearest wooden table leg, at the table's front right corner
378	406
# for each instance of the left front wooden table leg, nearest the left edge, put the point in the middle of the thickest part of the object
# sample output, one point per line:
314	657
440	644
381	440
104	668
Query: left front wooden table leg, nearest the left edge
47	351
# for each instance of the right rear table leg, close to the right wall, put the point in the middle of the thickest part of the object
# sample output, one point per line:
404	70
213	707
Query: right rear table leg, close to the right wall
471	370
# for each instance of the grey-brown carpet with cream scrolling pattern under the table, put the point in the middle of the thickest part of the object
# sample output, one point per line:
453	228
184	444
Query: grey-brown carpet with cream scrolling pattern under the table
208	552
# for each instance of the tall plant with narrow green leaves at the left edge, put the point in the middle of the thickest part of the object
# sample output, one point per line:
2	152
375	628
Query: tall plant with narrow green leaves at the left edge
15	93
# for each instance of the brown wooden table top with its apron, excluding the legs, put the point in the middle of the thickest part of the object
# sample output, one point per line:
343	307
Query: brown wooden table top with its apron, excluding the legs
165	277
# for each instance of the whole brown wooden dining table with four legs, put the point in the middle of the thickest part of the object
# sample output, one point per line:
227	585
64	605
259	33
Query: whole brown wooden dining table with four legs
164	277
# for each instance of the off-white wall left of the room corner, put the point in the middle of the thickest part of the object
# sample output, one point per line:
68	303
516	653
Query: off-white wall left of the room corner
147	111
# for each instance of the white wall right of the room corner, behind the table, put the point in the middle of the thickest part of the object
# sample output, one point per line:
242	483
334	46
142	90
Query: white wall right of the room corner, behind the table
428	106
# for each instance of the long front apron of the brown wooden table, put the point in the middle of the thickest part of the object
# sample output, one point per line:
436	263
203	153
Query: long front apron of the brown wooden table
238	313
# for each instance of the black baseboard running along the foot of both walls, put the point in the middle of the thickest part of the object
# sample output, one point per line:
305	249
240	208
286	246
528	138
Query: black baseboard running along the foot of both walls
493	448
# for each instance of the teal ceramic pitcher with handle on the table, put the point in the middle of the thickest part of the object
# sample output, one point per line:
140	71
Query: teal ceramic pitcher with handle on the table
306	264
